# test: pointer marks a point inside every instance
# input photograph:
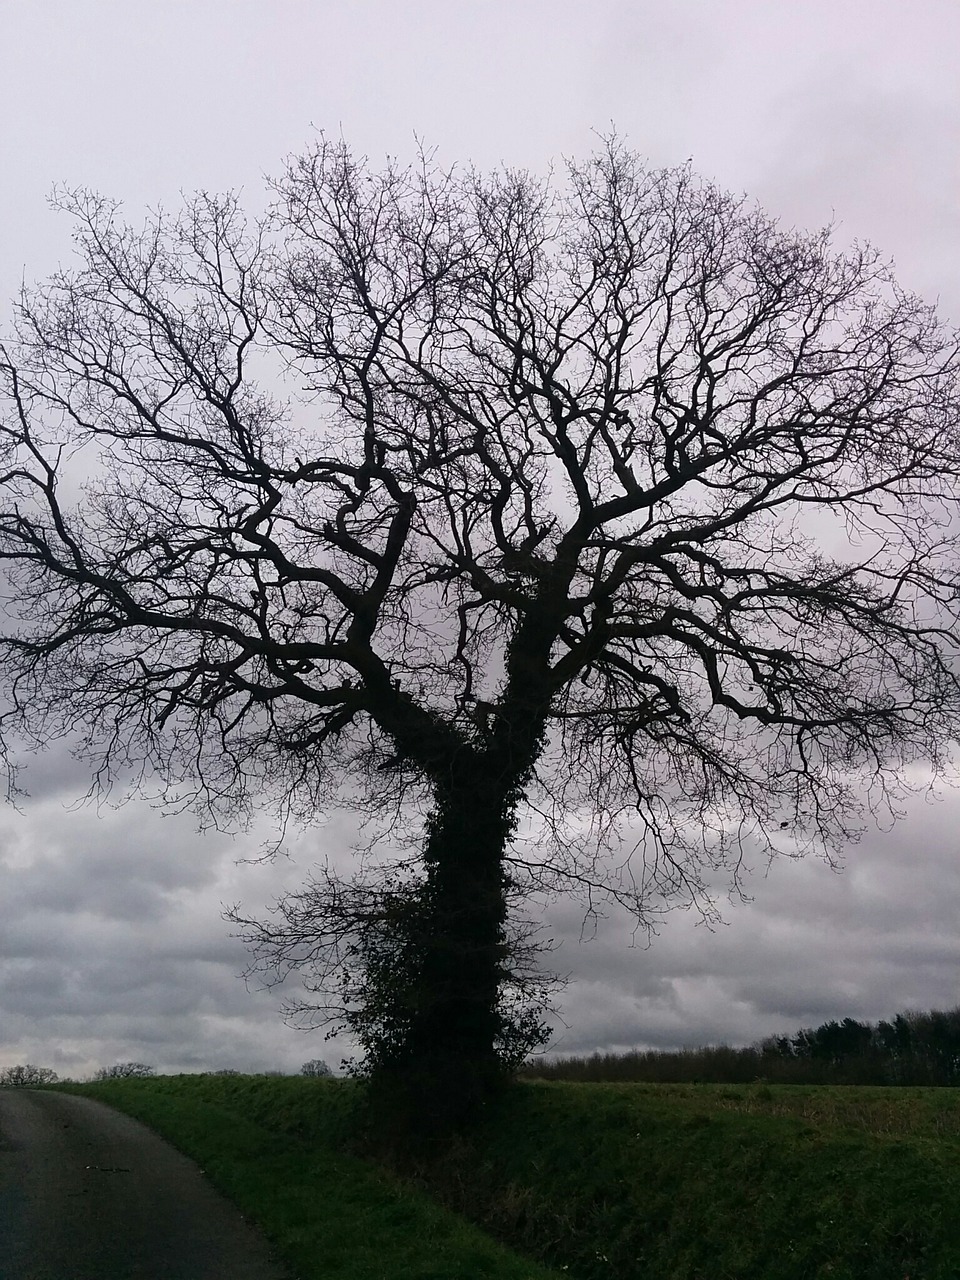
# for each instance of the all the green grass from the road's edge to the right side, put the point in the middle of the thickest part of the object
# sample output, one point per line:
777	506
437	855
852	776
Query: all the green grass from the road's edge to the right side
592	1181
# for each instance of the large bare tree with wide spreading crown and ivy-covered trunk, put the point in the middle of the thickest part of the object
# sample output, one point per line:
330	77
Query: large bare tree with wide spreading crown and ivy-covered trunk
604	504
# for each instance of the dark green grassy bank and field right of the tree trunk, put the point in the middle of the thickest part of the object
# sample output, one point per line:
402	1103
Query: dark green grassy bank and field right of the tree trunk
712	1183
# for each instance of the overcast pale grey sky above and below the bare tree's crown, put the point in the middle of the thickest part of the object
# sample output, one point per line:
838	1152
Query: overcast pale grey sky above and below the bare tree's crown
113	945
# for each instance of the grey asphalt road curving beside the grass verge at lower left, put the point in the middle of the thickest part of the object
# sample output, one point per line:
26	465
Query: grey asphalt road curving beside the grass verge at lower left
88	1194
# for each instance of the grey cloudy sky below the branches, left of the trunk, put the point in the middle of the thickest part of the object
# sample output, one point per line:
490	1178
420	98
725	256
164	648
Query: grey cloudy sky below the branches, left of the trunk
113	945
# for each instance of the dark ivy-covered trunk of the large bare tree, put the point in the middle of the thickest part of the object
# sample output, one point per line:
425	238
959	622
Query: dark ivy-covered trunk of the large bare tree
449	1055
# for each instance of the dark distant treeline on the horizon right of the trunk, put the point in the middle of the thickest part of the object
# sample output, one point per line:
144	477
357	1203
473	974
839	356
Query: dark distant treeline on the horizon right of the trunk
913	1049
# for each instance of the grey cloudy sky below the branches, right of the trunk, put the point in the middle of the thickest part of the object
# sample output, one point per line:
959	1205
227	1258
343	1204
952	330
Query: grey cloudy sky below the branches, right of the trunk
812	945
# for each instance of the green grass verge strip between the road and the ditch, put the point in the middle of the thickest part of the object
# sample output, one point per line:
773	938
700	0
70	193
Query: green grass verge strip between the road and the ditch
328	1215
